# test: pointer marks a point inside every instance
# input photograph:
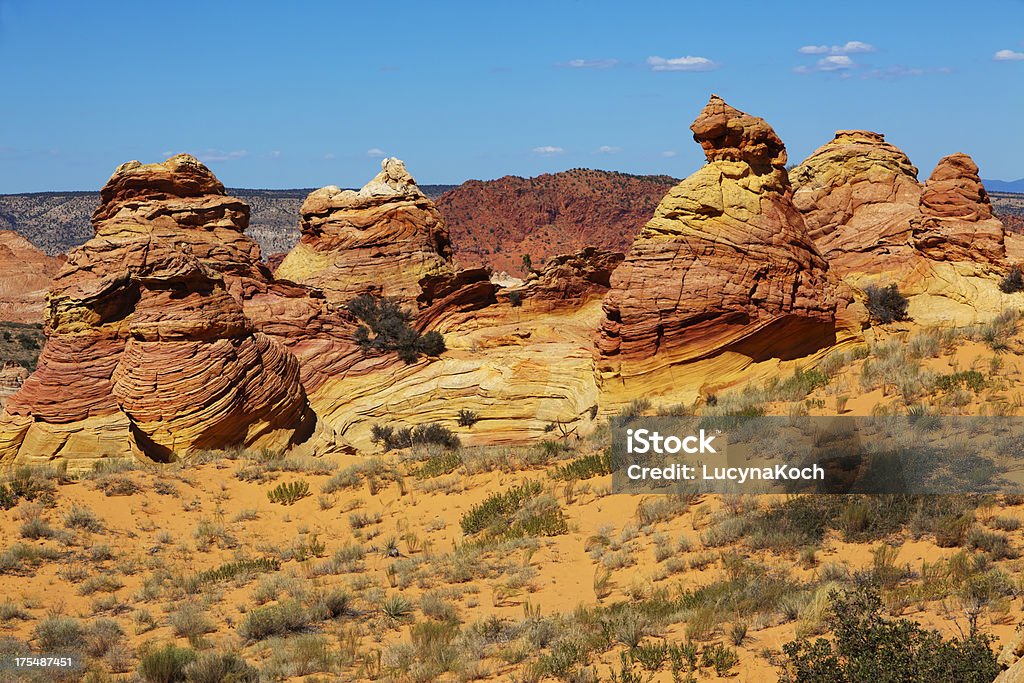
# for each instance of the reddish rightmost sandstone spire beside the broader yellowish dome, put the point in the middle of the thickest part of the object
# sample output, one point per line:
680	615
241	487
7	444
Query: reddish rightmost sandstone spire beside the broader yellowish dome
957	222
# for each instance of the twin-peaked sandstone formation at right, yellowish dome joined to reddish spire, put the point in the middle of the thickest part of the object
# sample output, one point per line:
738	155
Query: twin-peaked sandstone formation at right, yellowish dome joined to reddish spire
876	224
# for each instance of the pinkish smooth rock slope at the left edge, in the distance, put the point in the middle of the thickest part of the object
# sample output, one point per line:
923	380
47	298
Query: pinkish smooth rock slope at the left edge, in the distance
27	276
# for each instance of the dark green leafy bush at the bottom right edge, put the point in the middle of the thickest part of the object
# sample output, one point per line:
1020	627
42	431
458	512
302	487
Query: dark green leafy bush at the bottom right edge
869	648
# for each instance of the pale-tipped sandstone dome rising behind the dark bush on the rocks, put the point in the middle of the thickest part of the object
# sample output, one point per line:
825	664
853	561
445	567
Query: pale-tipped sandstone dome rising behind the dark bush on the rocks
380	240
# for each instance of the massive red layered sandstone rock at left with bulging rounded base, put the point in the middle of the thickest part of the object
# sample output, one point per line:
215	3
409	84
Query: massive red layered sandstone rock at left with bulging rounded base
150	351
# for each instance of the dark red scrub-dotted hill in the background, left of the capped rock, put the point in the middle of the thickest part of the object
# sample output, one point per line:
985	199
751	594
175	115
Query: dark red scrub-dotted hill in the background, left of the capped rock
496	223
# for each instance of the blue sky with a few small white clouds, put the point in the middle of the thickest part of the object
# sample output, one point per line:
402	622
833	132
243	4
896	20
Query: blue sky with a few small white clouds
305	95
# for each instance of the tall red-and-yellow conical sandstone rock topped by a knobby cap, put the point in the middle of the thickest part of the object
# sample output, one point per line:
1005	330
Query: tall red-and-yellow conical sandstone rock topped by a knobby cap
722	277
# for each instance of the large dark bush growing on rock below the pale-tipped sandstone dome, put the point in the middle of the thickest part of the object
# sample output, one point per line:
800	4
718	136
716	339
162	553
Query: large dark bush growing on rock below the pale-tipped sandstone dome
388	329
